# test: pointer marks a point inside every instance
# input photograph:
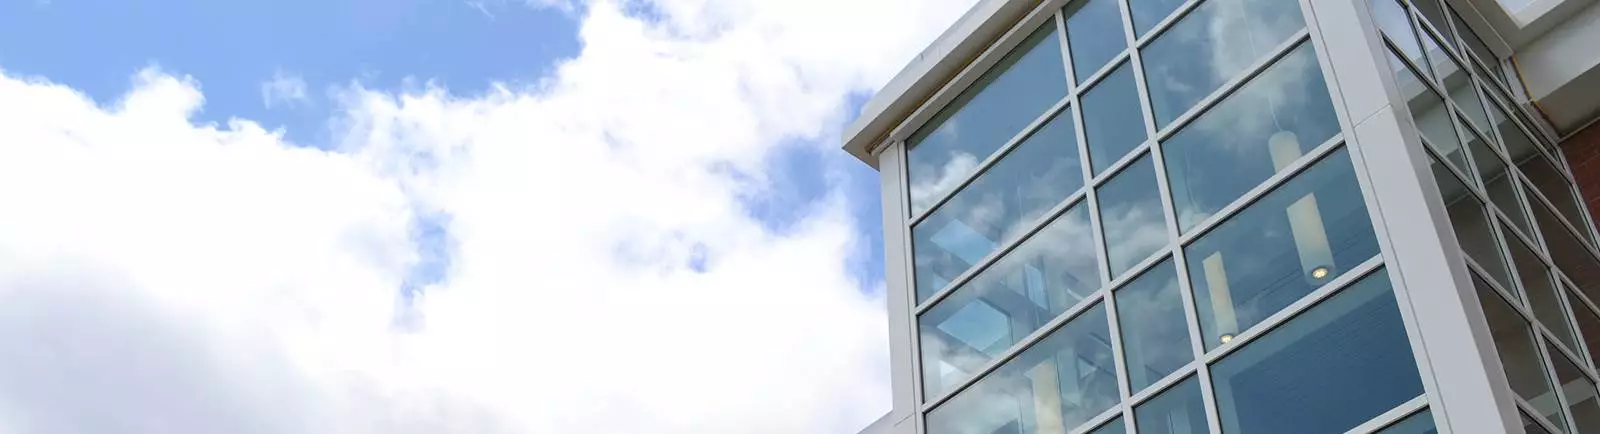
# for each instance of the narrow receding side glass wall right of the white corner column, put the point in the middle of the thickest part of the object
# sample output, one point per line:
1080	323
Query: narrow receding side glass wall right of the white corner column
1514	211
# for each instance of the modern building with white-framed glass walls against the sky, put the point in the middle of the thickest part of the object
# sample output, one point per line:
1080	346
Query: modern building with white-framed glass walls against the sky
1180	217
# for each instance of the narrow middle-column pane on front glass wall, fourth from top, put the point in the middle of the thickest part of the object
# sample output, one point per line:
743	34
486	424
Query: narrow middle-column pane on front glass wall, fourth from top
1154	331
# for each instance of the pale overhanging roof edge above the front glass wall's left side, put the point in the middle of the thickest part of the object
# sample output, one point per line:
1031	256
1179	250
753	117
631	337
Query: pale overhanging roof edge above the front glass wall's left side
935	66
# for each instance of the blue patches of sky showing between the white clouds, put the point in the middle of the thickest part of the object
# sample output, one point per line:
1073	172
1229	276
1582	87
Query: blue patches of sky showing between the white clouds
236	47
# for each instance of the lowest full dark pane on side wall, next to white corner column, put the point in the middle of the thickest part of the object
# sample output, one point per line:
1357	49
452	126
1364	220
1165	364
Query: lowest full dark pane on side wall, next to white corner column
1518	352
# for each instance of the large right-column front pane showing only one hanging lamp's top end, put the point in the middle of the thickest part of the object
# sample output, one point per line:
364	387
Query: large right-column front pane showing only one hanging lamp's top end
1247	139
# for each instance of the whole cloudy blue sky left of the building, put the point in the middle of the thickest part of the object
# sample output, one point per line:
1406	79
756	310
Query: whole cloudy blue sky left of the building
444	215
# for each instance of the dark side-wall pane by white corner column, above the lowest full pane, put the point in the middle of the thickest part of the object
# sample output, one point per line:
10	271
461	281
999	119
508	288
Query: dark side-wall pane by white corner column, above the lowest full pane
1471	222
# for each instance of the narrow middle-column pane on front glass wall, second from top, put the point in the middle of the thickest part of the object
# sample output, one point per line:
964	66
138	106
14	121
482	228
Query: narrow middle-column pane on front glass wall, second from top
1113	121
